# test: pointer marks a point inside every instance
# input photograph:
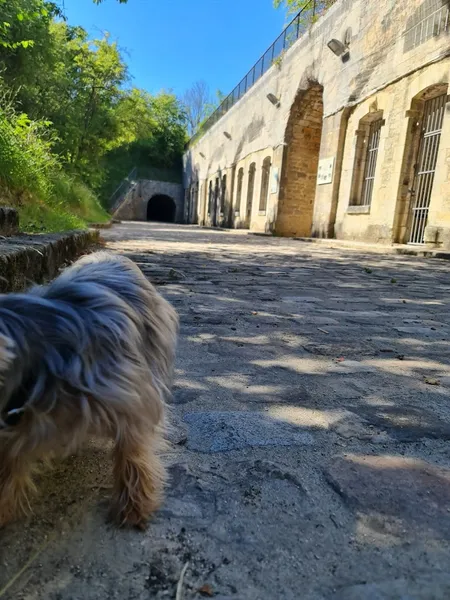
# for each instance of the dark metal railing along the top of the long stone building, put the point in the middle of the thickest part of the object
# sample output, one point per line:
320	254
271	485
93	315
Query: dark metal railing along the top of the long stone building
296	28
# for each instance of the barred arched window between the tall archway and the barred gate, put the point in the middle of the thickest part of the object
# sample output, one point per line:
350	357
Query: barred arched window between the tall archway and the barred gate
366	156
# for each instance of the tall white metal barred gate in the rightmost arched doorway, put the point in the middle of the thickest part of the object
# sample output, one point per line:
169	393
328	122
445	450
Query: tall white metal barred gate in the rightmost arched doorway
433	119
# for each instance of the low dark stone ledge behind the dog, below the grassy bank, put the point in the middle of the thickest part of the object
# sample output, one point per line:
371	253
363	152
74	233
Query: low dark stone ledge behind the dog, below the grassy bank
29	259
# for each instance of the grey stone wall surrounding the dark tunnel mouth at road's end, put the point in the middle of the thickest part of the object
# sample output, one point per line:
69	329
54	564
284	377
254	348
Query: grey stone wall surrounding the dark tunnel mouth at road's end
134	206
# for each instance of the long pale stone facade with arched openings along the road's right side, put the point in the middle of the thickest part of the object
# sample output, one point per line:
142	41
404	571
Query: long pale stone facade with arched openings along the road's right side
392	63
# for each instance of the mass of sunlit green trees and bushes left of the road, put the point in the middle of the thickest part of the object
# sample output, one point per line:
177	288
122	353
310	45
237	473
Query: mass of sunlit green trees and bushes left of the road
69	125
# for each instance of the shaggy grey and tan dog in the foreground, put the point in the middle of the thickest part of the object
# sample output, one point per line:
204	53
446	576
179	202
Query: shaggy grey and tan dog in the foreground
90	354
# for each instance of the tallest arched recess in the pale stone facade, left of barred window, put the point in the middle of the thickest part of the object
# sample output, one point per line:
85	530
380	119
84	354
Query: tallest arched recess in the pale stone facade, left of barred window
300	164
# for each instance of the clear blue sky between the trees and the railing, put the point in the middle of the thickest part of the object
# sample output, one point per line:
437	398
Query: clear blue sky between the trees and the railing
173	43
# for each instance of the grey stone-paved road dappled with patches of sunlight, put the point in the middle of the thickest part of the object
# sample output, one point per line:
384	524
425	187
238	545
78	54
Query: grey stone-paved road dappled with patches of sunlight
311	435
